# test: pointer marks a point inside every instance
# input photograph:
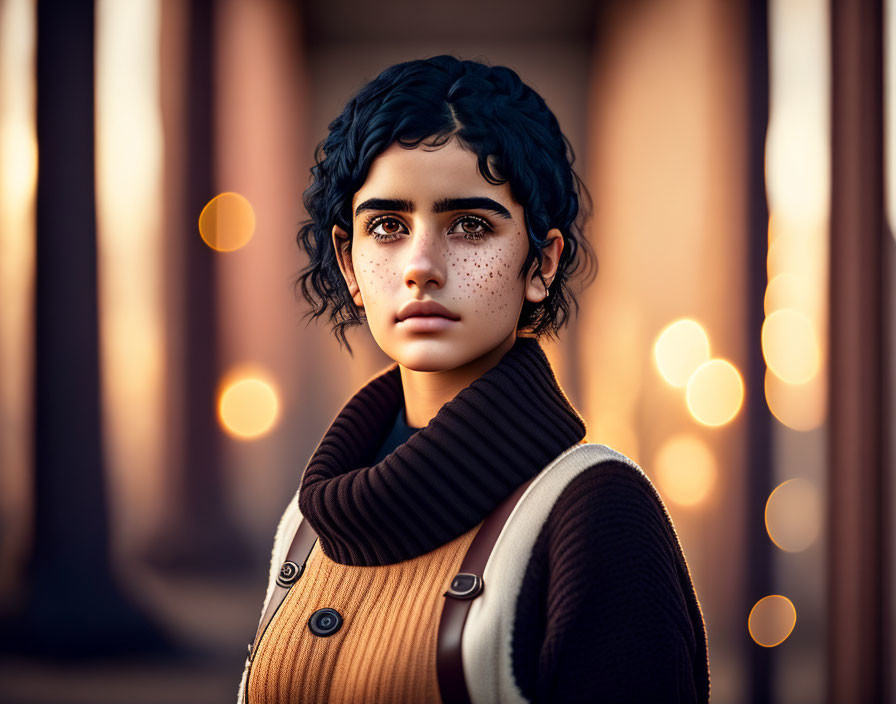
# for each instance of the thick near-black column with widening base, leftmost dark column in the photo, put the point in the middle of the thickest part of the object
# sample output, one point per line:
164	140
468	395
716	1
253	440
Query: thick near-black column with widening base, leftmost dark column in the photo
74	605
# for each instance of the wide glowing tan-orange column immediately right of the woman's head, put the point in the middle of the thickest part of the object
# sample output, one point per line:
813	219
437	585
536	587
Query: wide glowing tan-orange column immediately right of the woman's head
674	192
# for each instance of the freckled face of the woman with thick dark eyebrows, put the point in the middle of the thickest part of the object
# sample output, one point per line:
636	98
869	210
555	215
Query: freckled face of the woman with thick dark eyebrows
429	227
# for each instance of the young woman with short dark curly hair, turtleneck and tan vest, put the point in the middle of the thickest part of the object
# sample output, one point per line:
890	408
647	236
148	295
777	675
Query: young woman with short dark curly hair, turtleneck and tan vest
444	213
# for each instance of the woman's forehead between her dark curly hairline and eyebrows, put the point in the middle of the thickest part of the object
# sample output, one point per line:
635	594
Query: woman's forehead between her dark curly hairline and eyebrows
425	176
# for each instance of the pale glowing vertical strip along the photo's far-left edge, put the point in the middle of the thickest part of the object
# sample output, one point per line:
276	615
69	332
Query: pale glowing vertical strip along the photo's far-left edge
18	179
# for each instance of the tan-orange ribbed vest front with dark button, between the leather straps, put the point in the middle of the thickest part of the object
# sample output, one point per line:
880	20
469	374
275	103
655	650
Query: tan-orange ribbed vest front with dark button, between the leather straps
385	650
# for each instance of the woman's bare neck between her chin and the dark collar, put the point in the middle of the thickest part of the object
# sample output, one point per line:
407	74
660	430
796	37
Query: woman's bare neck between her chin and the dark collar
426	392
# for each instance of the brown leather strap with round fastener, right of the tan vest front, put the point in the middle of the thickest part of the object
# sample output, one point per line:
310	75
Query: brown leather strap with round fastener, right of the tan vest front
465	587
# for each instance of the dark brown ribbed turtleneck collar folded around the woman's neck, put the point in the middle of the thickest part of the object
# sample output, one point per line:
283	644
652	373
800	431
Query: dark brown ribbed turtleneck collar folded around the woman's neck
499	431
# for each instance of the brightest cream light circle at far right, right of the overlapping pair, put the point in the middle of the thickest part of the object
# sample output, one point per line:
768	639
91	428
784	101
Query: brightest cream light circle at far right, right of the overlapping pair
790	346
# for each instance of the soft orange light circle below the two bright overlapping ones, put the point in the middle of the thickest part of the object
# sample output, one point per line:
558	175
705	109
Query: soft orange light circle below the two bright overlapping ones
685	469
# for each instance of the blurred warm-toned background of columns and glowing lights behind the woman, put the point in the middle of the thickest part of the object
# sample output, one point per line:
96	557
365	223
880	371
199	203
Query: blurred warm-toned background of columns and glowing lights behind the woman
161	392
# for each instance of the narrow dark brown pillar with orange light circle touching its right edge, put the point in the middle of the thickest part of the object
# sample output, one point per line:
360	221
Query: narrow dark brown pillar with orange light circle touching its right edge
199	533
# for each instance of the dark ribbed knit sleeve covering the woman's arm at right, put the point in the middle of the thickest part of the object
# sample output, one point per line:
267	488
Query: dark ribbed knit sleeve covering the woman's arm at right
607	610
